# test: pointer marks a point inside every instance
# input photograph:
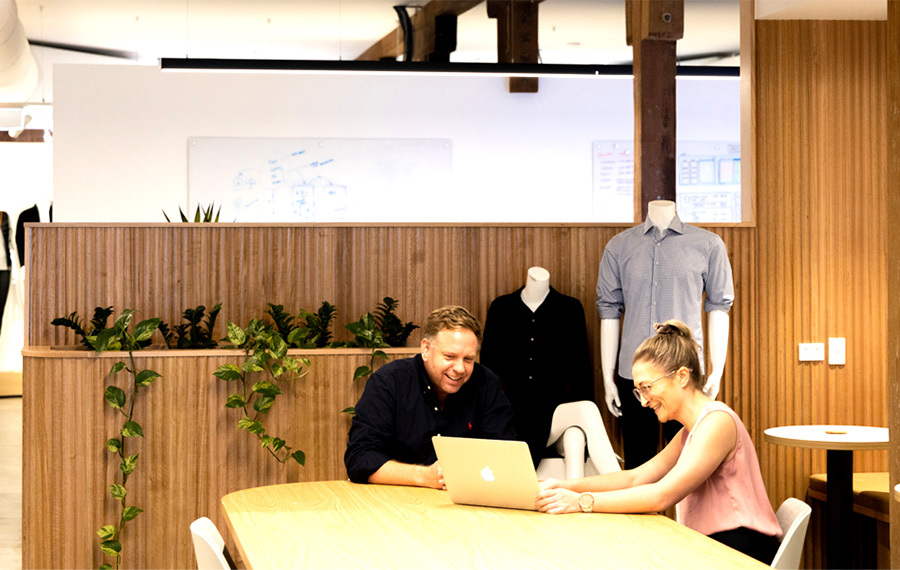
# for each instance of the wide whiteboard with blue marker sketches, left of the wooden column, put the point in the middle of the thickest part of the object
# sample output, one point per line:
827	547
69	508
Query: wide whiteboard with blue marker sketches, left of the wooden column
317	179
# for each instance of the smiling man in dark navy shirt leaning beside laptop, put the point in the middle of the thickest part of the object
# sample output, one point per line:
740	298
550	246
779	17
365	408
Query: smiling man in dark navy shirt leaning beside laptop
442	391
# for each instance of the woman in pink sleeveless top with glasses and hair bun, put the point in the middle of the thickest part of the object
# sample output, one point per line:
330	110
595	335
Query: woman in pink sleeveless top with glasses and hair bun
709	470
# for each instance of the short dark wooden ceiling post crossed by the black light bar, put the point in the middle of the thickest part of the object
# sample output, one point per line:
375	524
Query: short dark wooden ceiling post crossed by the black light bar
517	37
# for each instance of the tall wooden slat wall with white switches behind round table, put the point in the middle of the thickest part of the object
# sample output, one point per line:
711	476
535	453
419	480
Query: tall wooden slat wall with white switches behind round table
821	235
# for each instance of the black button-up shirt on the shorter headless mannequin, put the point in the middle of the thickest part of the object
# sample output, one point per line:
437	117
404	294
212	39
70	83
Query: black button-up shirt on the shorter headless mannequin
542	357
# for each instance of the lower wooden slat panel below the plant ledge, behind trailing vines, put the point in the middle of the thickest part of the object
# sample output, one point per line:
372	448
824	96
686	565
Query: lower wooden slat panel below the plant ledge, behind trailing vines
192	453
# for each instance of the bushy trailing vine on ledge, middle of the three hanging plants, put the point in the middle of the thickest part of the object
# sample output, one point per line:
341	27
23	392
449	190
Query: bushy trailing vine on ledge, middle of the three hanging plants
265	351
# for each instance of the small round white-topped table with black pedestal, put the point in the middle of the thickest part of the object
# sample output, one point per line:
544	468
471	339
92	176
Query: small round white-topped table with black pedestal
839	442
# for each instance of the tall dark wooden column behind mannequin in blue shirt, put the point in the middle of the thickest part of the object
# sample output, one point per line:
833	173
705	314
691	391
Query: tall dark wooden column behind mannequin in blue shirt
652	28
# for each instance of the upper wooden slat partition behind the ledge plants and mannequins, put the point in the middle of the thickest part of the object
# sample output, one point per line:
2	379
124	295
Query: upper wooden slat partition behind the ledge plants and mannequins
160	270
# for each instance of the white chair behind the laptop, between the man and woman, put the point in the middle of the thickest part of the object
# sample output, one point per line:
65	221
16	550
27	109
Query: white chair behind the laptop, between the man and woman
576	425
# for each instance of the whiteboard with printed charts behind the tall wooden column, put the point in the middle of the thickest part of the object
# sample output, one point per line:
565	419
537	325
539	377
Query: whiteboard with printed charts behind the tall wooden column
708	181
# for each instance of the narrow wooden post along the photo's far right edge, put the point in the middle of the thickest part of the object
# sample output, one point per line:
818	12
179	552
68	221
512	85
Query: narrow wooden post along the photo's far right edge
892	258
